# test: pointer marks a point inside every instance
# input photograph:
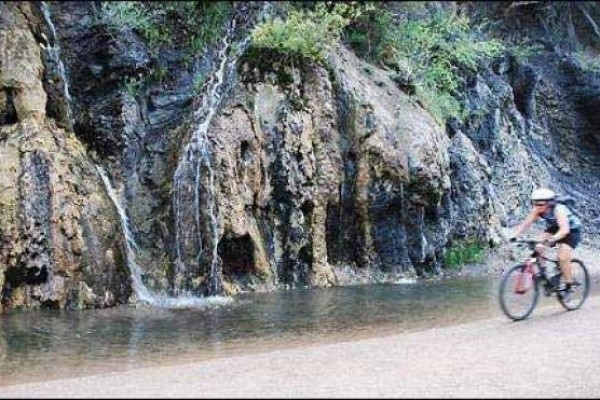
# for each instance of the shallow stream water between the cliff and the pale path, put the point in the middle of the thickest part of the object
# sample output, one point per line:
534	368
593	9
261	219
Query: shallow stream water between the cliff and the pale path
35	344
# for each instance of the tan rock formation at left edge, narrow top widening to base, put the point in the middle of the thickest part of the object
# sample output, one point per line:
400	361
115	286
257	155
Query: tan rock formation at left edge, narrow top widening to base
59	240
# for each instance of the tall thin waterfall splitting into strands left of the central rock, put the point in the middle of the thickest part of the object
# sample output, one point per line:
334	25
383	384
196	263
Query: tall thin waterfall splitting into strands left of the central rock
194	162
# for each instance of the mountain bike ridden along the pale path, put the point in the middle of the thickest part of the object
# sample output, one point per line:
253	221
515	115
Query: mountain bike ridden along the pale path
520	285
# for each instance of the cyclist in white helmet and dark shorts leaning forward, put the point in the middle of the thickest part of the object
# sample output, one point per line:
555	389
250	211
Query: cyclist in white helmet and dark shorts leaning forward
563	227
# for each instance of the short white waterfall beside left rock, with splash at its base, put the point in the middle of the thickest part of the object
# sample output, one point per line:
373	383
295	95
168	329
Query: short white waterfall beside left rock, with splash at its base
143	293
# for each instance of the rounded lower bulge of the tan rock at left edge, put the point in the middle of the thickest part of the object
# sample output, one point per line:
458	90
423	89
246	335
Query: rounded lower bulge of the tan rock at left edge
50	196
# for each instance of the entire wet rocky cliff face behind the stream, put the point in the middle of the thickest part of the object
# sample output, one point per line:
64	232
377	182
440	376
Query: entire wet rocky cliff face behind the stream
270	176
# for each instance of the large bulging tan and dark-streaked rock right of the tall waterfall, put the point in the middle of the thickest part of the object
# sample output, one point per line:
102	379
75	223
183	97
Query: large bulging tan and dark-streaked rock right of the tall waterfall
318	176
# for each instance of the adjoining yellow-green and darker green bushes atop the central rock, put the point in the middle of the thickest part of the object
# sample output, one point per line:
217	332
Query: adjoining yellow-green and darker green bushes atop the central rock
434	53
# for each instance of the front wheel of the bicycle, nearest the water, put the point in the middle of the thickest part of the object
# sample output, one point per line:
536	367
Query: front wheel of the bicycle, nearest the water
518	293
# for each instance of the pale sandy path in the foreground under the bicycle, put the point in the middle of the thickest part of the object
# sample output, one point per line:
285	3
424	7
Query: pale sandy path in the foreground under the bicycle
552	354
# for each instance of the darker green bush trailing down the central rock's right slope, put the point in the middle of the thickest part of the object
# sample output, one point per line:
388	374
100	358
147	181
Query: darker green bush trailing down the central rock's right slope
434	52
